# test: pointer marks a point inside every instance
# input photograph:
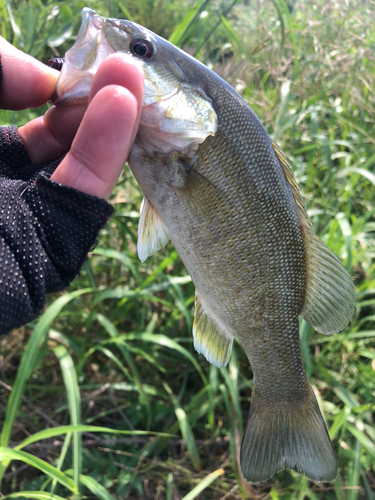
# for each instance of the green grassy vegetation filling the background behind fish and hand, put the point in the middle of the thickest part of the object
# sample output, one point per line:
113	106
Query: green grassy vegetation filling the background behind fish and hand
104	396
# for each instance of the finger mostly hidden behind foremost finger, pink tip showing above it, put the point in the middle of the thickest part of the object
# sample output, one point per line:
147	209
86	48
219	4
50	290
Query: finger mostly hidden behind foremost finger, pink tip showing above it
49	137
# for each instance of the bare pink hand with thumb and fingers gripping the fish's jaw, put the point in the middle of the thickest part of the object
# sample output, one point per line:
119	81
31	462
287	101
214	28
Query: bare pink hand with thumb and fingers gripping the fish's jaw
97	138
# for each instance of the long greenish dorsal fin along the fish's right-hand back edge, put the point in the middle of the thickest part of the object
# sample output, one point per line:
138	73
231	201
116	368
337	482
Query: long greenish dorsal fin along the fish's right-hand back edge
330	297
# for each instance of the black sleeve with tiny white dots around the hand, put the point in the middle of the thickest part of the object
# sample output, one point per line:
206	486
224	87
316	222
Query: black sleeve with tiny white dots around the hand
46	231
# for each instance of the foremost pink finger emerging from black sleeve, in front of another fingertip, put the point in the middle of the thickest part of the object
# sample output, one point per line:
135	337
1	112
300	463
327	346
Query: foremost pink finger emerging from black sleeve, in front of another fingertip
102	143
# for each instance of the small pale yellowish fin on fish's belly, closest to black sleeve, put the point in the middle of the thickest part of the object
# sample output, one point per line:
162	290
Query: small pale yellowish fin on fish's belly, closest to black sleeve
152	233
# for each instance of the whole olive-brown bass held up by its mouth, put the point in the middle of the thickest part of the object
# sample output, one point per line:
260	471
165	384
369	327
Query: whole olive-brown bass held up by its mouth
223	193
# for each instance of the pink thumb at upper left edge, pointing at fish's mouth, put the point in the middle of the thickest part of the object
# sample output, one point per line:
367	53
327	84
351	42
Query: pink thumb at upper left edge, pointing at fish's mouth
26	82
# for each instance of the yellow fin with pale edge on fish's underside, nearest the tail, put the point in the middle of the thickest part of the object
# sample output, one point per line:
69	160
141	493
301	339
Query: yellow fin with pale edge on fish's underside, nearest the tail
209	339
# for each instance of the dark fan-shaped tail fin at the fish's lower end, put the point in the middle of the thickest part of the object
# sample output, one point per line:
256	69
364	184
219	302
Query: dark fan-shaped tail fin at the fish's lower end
294	436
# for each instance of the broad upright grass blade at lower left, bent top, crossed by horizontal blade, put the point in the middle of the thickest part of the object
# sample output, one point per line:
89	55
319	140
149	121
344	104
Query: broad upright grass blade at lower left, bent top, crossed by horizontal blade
74	405
